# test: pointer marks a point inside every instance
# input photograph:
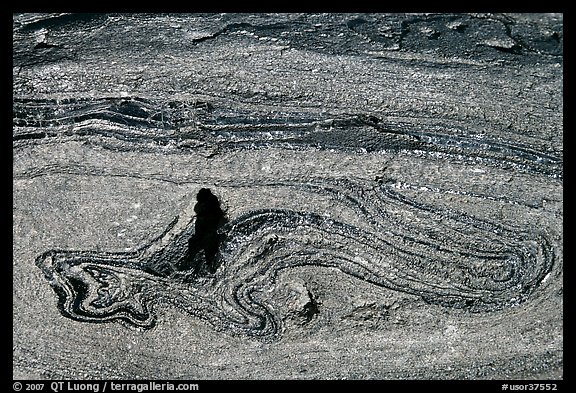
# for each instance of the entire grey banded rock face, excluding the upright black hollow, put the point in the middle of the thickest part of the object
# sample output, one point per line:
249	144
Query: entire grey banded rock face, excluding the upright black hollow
392	185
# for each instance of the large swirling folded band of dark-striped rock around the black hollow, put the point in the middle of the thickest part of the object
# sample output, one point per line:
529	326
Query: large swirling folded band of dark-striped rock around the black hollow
450	259
